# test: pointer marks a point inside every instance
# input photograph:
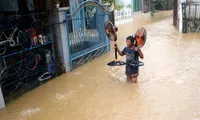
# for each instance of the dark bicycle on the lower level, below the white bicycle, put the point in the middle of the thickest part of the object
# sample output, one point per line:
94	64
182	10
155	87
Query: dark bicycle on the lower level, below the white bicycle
15	70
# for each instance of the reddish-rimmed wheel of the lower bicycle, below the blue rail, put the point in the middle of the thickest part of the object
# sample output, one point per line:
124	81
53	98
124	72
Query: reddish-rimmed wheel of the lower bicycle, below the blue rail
31	61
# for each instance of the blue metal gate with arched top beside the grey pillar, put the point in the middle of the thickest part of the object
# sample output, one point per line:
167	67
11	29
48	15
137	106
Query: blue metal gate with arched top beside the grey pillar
85	31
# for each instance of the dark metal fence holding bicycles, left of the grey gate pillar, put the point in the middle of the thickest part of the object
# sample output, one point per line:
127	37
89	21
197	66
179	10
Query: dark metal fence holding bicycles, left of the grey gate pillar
26	53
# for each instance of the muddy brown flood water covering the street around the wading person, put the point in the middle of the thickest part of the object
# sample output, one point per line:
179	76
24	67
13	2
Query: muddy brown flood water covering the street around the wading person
167	88
